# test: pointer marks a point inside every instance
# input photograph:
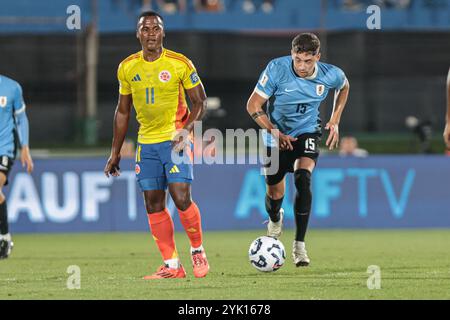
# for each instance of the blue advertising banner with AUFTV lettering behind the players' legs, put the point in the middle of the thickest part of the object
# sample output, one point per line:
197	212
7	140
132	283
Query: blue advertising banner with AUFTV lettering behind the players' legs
73	195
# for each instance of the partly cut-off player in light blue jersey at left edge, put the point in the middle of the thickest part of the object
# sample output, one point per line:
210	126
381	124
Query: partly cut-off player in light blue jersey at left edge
13	134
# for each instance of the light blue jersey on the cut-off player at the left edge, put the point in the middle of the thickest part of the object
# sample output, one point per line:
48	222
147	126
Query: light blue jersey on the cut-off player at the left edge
11	106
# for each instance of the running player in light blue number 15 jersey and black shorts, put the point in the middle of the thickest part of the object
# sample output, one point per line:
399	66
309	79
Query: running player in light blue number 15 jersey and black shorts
298	83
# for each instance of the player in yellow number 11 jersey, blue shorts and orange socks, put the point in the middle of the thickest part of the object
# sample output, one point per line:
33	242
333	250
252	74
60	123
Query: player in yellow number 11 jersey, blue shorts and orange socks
154	80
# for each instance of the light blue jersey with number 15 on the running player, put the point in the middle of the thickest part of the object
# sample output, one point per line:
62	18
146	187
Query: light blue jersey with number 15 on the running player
295	108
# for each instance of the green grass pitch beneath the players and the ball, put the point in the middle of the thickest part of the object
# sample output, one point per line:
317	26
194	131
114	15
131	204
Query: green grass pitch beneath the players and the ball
415	264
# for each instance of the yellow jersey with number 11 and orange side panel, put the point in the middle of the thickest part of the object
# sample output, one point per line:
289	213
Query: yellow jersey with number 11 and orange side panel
157	89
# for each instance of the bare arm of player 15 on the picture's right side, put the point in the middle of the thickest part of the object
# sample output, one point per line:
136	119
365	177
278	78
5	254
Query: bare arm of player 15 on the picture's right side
340	99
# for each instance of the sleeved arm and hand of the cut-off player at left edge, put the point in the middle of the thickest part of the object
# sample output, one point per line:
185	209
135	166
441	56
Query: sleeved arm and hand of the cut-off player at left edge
22	126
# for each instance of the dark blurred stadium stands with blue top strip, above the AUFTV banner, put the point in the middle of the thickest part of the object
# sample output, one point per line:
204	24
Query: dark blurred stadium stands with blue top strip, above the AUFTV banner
395	72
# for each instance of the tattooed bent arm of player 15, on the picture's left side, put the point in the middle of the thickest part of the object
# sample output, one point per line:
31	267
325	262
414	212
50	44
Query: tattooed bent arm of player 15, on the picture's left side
264	89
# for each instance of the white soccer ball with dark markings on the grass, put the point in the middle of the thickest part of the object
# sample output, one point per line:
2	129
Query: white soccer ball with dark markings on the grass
266	254
